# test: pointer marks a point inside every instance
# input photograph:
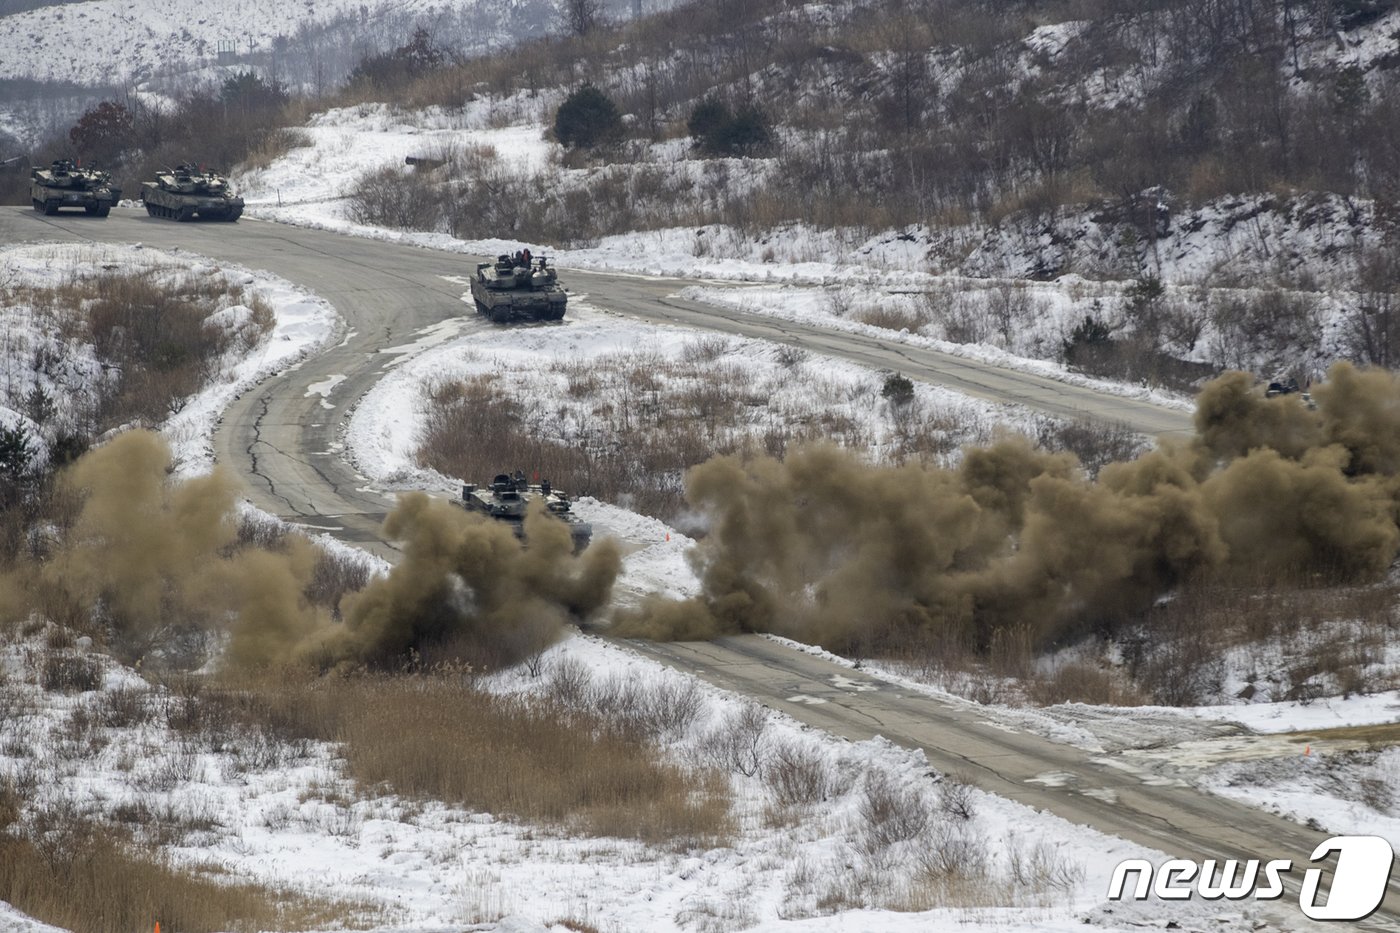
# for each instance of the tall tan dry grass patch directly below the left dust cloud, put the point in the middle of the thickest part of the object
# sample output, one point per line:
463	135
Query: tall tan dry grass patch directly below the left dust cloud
537	760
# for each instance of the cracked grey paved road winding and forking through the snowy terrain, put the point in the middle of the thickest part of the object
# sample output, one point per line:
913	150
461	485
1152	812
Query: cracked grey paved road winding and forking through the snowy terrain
283	439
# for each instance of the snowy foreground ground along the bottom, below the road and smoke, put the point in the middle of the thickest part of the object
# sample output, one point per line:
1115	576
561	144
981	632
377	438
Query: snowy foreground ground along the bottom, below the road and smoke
432	868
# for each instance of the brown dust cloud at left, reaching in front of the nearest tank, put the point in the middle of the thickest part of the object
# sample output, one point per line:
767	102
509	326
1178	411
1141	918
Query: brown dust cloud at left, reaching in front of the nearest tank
143	558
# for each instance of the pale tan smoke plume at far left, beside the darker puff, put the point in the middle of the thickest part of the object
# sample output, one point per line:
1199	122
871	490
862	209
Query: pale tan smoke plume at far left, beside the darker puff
149	560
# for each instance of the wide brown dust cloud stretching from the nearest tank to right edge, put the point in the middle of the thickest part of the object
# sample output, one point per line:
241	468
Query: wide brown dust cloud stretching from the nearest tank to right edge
834	550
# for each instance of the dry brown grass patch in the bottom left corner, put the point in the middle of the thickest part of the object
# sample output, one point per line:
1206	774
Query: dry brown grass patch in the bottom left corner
85	878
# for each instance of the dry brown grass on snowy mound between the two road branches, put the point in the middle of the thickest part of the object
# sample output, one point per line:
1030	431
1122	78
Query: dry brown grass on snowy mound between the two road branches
631	424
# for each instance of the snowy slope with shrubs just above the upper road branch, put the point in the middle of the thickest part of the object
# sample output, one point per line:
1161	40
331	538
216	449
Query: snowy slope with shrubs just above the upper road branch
974	292
